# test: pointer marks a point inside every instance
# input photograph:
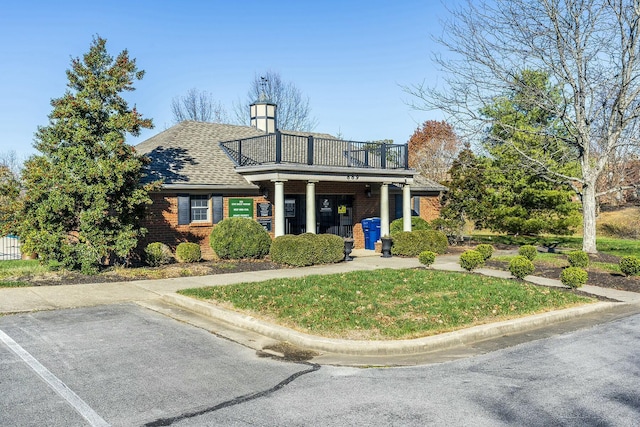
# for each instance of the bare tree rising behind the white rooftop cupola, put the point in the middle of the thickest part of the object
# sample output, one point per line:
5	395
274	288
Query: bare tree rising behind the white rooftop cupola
293	111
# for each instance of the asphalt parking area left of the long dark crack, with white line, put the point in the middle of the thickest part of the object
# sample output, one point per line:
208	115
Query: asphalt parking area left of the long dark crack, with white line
121	365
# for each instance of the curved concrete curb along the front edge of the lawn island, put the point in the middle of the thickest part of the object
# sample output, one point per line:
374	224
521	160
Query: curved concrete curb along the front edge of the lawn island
379	348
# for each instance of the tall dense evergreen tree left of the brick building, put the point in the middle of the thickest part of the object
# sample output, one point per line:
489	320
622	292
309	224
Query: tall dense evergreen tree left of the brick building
84	196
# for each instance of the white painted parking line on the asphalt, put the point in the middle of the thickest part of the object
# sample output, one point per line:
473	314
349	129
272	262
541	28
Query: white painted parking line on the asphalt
58	386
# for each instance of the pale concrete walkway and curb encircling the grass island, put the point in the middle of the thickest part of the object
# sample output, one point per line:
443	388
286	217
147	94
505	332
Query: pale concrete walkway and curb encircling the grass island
160	295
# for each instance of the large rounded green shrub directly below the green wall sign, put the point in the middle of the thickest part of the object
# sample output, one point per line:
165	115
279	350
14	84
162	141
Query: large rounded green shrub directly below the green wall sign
240	238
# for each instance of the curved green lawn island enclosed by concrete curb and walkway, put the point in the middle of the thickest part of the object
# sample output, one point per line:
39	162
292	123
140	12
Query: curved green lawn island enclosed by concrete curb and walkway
388	304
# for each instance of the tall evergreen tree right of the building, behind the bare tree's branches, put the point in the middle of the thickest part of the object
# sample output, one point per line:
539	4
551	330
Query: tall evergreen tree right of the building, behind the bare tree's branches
524	199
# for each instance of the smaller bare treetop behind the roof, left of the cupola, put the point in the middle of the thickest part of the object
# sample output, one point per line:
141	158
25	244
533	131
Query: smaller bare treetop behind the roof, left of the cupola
199	106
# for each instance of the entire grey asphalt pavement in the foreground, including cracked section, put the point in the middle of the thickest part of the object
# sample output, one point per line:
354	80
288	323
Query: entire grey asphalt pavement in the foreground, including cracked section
124	365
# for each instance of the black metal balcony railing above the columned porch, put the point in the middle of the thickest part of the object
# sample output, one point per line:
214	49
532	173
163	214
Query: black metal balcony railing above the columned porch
281	148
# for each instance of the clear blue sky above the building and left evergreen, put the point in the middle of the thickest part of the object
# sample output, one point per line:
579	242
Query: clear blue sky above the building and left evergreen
349	57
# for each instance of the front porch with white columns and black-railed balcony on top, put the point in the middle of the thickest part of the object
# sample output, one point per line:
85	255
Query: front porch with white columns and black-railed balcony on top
322	185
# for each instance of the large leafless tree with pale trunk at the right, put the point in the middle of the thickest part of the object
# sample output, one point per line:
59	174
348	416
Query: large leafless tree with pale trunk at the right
589	48
